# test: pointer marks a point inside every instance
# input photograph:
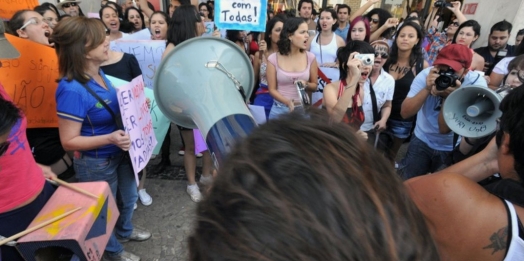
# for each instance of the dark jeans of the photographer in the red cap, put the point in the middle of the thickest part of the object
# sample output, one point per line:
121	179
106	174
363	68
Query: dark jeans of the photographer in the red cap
420	159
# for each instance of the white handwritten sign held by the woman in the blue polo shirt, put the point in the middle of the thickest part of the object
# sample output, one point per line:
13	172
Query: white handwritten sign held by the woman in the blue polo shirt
137	123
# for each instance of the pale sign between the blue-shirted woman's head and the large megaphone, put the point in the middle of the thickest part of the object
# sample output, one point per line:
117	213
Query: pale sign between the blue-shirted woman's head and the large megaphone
147	52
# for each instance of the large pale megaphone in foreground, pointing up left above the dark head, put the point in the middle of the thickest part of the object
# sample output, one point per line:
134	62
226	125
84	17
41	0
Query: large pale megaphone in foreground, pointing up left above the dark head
204	83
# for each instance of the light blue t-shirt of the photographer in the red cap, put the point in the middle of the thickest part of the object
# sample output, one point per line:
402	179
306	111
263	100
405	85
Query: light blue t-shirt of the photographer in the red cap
427	117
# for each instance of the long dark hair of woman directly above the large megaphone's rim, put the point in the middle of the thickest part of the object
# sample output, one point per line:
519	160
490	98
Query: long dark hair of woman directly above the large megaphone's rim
183	24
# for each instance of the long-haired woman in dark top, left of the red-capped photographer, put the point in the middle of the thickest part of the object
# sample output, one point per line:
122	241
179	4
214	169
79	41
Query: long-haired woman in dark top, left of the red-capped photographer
405	62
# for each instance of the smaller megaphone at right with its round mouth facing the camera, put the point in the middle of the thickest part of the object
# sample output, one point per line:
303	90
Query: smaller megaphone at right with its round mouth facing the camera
472	111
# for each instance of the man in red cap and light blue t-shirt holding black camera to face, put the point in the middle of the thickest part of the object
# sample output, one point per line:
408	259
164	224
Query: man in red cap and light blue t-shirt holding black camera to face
430	146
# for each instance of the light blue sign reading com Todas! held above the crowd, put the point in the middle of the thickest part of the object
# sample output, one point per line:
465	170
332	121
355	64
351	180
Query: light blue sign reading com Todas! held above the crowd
250	15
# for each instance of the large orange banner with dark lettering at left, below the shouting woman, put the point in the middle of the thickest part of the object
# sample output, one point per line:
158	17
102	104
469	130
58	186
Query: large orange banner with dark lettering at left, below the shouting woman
30	81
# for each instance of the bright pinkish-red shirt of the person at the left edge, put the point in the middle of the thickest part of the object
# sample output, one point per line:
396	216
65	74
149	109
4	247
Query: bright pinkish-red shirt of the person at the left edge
20	178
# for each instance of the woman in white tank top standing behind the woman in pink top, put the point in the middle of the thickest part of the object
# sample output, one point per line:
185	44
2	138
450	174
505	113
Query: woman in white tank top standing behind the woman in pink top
325	45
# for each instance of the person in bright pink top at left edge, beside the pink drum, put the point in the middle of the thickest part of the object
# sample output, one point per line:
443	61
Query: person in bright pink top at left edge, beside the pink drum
24	191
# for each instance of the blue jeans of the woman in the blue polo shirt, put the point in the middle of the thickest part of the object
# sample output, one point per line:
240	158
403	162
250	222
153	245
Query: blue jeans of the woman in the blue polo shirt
118	173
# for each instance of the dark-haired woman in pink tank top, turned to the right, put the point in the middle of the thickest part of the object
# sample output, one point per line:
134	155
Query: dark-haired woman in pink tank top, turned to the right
290	65
